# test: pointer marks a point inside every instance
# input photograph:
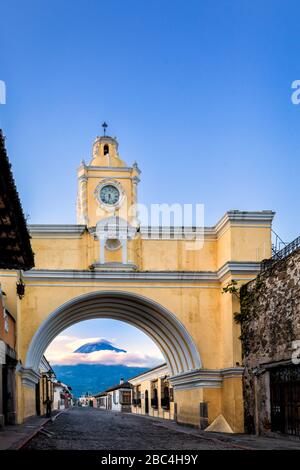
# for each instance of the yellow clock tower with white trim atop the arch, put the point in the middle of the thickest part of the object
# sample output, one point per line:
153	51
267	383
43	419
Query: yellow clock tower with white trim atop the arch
106	201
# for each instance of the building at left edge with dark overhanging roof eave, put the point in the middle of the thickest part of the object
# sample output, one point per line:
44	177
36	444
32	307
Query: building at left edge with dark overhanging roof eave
15	254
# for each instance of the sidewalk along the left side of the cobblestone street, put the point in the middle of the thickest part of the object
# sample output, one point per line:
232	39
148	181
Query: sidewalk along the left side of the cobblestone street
14	437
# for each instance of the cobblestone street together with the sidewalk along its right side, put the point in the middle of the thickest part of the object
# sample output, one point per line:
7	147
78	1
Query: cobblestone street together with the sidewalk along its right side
92	429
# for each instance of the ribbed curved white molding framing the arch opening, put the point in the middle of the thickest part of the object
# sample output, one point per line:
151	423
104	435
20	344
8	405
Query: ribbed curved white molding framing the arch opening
169	334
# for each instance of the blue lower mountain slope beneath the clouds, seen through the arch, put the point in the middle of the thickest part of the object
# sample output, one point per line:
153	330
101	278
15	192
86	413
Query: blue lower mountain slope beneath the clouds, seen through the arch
94	378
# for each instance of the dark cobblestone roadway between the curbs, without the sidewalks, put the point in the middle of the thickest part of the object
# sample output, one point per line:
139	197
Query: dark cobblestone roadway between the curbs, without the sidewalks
88	428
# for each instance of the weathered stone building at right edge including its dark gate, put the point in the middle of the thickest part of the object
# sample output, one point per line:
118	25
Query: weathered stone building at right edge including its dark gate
270	320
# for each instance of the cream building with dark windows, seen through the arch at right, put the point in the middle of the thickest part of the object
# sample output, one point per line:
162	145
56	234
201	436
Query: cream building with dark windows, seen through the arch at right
153	394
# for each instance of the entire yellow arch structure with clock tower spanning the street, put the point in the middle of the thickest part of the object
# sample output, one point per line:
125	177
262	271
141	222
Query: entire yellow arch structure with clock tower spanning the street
166	281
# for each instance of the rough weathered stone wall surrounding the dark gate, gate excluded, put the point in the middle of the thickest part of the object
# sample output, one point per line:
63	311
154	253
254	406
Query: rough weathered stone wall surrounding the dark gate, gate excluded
270	322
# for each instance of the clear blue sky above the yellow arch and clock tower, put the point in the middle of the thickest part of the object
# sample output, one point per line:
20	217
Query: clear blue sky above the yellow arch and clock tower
198	92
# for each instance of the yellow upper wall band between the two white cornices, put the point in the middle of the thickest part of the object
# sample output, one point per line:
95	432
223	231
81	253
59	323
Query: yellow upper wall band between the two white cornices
157	255
